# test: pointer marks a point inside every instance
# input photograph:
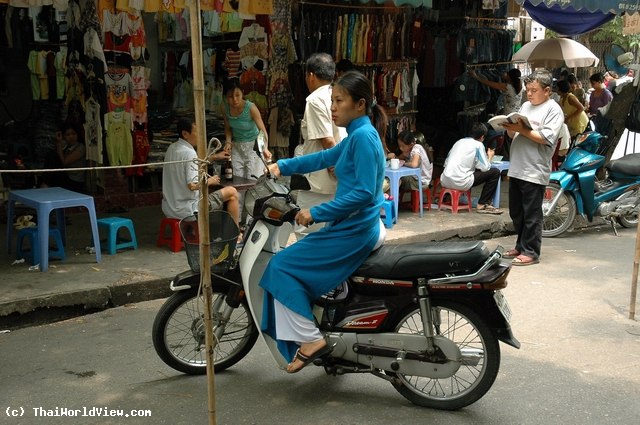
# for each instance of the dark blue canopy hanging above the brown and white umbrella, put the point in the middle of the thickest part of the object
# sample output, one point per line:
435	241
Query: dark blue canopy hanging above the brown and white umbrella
567	20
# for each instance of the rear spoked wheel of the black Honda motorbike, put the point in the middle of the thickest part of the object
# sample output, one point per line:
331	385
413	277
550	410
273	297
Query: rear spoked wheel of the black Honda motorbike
480	358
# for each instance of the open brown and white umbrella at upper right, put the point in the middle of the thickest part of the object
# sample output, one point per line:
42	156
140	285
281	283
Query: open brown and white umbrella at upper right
556	52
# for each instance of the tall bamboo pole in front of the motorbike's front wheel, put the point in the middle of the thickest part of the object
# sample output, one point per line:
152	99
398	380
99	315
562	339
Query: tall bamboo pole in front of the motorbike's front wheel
203	217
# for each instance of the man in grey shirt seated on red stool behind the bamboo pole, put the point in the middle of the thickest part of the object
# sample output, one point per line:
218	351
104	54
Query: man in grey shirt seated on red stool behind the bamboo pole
180	187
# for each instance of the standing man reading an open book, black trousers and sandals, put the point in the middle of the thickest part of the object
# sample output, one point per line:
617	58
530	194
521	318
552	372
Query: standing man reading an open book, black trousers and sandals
530	165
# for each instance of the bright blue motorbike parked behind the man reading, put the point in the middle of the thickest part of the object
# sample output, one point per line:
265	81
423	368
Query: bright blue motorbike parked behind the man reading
574	188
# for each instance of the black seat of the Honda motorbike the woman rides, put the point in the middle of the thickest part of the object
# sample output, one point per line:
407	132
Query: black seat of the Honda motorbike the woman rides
408	261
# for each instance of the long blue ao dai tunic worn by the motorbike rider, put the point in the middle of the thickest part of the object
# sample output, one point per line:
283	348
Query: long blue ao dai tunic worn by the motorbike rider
318	263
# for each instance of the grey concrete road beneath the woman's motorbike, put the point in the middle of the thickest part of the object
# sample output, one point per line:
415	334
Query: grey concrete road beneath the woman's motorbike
579	362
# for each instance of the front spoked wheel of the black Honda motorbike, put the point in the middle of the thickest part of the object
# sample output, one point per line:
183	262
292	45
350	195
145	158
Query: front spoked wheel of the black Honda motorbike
179	333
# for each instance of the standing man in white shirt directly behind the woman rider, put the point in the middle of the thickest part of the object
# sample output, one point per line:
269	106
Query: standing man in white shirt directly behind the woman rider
318	132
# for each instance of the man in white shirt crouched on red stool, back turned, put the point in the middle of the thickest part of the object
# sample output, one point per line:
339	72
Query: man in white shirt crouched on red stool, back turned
469	165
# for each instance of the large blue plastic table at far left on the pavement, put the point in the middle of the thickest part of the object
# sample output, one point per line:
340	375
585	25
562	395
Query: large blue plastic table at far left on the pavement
44	201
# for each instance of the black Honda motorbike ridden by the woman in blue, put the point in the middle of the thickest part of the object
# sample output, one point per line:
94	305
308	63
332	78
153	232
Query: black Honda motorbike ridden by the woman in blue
426	317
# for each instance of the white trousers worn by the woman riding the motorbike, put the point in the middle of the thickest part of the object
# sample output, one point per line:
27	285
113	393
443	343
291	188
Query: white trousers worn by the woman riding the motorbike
291	326
